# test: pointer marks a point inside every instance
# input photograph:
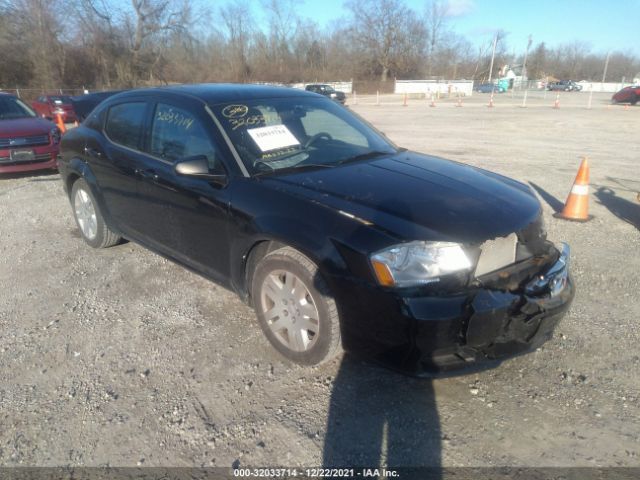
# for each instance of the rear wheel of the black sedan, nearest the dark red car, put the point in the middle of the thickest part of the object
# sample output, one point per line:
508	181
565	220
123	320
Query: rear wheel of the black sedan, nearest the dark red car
89	220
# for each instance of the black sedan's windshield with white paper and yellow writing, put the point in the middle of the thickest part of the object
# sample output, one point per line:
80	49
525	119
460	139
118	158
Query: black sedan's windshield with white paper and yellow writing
278	134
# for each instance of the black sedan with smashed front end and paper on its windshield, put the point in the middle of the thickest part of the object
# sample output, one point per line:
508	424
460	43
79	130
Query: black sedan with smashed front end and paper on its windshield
338	238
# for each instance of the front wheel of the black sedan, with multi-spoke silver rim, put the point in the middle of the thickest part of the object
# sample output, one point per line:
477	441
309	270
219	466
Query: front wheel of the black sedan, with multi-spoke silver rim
288	291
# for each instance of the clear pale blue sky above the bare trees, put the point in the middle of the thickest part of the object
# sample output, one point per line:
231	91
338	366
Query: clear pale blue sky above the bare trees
603	25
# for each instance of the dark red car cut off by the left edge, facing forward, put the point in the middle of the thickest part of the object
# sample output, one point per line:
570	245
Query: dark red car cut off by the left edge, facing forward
26	141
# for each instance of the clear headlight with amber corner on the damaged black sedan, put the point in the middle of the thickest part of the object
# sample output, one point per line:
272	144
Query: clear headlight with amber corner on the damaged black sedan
418	263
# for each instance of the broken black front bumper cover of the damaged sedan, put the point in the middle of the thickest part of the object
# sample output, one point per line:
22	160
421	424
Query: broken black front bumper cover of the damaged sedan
434	334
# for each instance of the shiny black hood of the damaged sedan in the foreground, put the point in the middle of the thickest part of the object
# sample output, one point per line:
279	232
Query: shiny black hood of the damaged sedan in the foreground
418	196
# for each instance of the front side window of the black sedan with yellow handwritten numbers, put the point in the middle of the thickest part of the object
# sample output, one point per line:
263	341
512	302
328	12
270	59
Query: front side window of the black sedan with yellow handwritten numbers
176	134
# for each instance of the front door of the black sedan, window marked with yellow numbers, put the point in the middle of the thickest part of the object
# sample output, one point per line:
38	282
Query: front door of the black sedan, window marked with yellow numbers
185	217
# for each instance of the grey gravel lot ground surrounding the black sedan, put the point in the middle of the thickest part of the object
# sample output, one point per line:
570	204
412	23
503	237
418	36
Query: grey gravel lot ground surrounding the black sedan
120	357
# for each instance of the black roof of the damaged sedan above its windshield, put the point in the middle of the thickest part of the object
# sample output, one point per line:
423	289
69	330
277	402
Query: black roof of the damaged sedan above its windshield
212	93
